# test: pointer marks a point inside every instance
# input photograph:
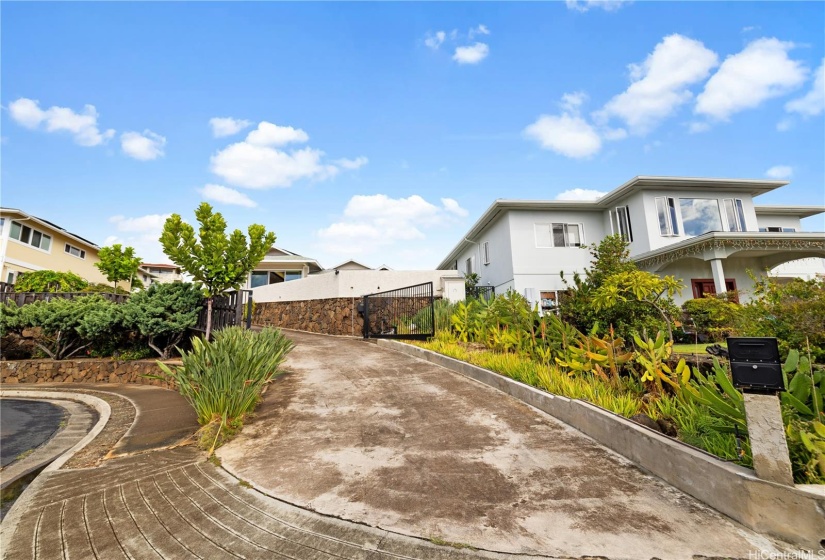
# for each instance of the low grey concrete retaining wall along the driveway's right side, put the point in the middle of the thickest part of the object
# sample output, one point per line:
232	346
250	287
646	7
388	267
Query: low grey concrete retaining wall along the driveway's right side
793	514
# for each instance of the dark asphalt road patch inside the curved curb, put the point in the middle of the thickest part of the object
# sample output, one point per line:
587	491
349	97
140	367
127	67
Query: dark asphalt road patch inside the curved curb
25	425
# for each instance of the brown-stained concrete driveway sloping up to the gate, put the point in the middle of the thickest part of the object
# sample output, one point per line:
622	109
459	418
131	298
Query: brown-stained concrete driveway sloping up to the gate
377	437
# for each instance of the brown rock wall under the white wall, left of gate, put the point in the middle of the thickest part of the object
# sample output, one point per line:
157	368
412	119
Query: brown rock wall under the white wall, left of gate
338	316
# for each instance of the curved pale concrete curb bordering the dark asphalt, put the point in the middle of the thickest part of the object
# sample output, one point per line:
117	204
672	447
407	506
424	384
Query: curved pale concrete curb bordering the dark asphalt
9	524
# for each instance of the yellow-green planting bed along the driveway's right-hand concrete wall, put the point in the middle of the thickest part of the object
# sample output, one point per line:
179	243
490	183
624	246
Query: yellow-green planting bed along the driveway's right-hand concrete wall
638	379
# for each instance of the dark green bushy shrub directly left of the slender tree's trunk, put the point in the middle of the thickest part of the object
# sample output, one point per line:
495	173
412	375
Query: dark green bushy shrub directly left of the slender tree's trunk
163	313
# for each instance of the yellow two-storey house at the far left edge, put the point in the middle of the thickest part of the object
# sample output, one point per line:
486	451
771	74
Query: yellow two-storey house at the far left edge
29	243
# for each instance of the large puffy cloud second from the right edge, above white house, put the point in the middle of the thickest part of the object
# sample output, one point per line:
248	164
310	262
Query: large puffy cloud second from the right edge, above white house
761	71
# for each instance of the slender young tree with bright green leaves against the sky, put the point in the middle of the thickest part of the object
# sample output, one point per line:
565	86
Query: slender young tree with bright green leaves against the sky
218	262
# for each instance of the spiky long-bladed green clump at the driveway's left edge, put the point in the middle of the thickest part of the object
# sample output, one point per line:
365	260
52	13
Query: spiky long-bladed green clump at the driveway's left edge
223	379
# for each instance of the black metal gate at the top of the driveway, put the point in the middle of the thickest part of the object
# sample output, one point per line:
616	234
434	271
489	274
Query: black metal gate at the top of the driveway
403	313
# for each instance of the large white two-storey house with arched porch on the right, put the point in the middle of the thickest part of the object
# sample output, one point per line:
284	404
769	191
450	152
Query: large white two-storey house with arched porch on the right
707	232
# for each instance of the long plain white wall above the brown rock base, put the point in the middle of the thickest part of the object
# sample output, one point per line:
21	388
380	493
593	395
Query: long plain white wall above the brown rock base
352	283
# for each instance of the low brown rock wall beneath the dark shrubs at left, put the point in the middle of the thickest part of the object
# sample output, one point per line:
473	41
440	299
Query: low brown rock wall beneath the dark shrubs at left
80	371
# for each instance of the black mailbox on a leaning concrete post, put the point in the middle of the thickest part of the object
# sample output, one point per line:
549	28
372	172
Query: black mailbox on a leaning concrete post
757	371
